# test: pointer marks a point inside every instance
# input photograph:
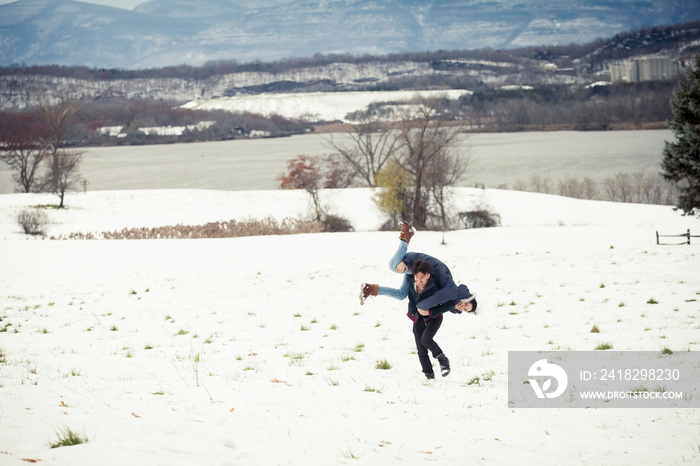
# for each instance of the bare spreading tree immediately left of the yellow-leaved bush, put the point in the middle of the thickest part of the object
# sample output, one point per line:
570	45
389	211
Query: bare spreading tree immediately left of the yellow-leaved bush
367	145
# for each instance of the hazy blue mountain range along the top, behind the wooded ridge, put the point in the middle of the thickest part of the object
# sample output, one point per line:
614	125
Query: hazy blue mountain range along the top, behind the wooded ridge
172	32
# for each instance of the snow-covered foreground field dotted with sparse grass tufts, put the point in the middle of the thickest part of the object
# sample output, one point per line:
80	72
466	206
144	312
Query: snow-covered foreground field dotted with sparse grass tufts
256	351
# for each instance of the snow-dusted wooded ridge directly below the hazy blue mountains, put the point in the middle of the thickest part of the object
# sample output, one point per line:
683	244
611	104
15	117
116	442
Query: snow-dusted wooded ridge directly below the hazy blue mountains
471	70
